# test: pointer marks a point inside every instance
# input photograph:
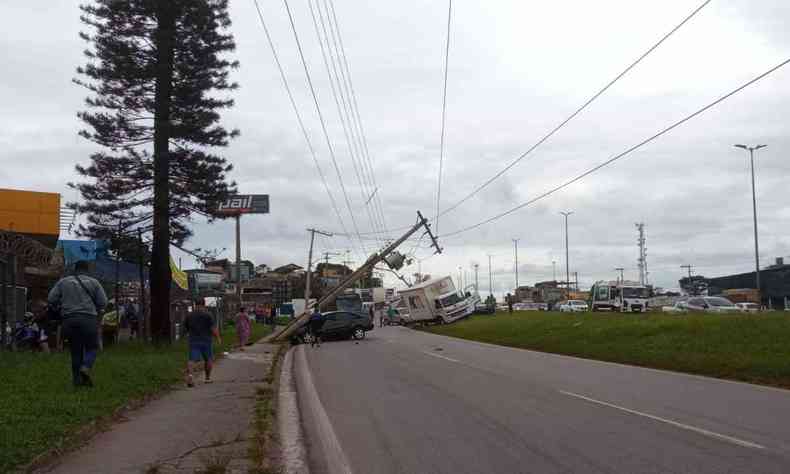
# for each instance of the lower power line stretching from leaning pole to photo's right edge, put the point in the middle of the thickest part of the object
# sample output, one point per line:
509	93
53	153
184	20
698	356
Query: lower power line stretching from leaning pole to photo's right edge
621	155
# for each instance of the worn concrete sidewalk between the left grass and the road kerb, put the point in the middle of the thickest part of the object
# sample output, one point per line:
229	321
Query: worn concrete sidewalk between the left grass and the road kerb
187	429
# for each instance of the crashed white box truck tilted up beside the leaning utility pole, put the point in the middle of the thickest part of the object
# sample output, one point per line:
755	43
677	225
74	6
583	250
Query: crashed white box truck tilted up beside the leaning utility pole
437	300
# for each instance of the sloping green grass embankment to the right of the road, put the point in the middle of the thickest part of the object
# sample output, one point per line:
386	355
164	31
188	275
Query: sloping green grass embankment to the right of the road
750	348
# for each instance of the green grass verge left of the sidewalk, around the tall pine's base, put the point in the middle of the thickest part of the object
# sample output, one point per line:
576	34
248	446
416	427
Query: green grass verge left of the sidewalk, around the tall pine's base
39	408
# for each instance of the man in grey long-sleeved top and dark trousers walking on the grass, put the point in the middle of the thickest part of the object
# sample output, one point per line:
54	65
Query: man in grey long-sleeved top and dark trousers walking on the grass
80	300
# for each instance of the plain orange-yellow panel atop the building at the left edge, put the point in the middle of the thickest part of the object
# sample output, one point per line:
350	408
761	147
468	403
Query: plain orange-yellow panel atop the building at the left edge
30	212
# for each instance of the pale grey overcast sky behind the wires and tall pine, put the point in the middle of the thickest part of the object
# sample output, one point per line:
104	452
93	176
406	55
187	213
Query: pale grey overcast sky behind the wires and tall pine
517	68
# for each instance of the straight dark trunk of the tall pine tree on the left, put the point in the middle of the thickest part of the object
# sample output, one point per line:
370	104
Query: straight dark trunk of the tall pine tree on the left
160	253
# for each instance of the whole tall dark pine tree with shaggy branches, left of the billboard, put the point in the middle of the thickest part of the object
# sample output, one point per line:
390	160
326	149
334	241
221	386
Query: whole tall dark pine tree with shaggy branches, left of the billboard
158	75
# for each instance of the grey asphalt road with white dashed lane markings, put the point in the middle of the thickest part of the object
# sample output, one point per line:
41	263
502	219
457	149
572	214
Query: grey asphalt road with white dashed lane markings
403	401
